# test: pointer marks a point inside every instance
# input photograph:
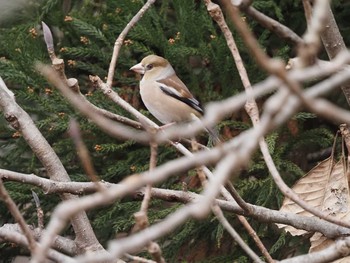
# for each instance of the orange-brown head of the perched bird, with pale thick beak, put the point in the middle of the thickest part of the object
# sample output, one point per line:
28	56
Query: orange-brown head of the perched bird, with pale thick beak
154	66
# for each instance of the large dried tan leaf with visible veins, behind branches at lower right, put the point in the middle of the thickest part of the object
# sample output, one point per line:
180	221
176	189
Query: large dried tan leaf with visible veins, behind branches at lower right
325	187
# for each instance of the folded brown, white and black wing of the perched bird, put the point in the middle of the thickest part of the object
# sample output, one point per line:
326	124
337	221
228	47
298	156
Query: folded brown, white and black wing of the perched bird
175	88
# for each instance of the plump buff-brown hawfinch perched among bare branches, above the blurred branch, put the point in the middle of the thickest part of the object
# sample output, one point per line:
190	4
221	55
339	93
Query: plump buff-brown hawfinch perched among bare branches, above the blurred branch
163	93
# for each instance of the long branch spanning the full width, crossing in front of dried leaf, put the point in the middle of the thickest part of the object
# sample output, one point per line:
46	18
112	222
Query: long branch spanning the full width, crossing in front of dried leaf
257	212
